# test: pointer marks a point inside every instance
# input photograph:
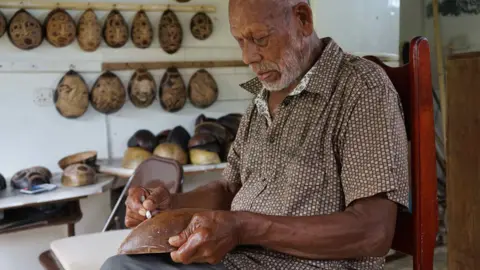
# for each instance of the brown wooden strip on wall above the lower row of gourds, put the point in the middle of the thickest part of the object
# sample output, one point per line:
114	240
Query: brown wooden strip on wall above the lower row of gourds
165	65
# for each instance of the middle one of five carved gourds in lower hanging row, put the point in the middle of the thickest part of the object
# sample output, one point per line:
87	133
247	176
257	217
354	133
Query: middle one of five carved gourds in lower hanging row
142	88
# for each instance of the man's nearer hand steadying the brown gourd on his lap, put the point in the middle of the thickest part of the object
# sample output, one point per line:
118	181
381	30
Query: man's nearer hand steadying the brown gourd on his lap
207	239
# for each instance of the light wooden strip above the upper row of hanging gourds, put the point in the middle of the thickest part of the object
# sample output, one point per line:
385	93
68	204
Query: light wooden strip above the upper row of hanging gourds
38	4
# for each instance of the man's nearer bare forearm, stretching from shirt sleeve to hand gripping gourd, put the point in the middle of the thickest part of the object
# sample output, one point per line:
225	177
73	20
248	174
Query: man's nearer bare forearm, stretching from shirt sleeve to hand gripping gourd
341	235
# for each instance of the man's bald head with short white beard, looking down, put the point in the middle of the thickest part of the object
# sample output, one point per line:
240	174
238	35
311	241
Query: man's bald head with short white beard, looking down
276	36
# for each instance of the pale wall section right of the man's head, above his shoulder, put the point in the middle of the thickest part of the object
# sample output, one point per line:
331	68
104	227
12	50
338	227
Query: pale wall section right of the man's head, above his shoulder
360	26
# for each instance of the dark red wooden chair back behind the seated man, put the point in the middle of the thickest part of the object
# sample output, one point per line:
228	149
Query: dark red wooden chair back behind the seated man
416	229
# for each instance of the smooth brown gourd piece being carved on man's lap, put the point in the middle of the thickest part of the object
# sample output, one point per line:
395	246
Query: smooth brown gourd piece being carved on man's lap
151	236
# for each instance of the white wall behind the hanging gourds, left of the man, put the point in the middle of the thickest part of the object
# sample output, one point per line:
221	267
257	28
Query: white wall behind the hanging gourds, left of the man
33	133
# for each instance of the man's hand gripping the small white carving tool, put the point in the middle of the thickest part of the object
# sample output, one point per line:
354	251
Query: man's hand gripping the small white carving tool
156	199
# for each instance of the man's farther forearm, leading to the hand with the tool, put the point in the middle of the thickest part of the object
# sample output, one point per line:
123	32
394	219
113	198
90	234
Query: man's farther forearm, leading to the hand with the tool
217	195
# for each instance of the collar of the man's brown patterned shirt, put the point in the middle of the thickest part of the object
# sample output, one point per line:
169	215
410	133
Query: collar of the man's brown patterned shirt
331	58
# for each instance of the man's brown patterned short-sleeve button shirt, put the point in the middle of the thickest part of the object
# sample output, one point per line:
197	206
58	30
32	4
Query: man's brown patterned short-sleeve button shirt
341	138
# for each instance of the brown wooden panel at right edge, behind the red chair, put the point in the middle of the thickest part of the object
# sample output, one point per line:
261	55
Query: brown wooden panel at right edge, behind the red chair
463	166
